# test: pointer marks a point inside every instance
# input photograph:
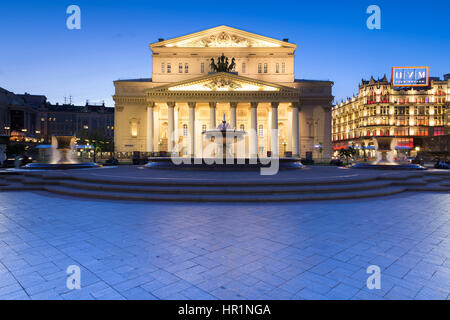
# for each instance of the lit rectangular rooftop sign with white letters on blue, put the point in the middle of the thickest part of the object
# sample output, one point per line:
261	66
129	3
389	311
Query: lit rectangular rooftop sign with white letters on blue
410	76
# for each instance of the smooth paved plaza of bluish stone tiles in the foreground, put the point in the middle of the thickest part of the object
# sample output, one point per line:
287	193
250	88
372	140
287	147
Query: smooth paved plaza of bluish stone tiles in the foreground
310	250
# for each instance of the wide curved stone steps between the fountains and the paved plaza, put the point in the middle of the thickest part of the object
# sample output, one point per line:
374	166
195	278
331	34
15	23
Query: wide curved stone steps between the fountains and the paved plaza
264	190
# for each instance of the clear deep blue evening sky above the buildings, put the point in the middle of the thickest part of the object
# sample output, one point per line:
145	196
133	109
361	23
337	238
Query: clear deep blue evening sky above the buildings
39	55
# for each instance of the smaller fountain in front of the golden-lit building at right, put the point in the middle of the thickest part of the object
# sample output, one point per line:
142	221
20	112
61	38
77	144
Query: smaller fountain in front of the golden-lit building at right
385	157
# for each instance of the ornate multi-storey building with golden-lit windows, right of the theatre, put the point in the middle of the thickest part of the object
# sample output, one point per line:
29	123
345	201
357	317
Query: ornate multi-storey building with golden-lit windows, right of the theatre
409	114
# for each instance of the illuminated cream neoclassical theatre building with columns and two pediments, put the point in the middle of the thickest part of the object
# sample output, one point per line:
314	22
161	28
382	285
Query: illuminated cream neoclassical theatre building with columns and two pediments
258	94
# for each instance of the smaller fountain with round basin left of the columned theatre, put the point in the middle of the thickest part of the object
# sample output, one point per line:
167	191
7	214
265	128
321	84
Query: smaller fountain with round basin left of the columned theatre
62	156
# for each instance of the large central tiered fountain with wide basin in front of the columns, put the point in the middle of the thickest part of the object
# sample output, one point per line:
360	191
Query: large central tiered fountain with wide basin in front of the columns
223	138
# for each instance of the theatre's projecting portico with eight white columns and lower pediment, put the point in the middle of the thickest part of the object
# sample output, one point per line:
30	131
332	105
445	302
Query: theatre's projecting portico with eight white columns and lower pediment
263	131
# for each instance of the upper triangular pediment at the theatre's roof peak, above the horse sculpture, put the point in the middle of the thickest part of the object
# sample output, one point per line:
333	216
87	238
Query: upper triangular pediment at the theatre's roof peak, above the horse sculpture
223	37
